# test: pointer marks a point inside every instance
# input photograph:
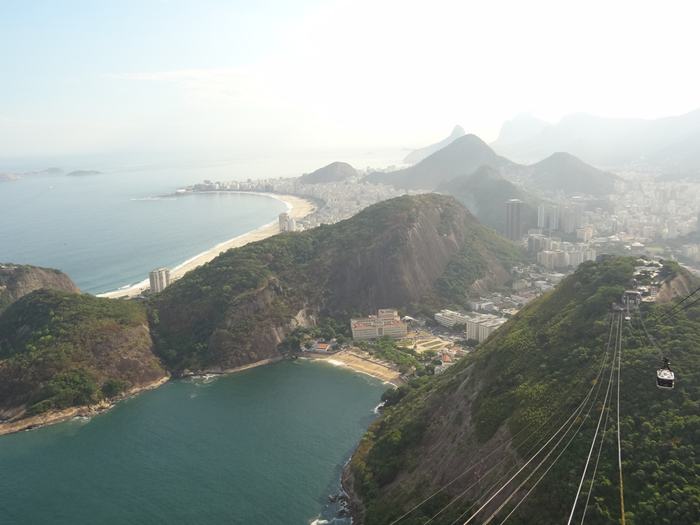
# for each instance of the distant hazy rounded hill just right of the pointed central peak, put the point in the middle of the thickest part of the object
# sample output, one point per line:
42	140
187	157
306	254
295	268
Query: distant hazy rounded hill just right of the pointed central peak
562	172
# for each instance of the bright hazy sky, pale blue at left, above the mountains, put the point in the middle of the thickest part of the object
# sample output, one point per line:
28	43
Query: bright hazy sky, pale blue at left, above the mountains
211	76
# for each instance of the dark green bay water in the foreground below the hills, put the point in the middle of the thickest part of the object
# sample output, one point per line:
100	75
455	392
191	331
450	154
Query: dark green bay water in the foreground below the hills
263	446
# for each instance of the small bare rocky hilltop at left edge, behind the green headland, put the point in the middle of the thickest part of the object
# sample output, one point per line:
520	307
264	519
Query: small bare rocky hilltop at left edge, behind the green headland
18	280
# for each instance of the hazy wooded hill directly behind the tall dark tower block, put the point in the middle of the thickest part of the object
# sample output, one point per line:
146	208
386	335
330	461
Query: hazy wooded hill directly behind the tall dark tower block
485	192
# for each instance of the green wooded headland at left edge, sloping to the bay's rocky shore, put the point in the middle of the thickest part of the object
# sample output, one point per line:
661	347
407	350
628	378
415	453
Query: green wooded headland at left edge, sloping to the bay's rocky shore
60	350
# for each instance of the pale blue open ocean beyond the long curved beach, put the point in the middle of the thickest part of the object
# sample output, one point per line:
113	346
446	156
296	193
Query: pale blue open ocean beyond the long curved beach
108	231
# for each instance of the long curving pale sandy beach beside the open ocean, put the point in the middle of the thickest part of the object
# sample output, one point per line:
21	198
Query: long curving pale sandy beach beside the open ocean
297	208
